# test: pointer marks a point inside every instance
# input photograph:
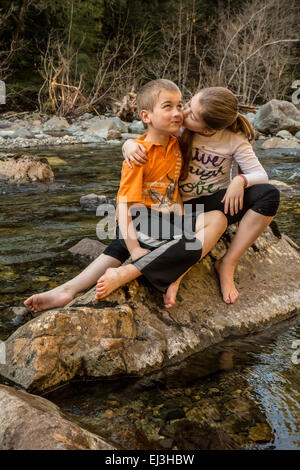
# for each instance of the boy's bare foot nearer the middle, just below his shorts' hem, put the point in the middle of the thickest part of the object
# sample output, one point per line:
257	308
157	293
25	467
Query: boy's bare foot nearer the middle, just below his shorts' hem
113	278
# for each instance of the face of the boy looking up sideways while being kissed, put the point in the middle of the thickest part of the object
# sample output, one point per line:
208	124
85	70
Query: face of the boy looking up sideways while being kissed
166	116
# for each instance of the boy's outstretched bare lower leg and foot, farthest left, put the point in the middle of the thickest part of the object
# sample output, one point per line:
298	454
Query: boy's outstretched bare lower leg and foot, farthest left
62	295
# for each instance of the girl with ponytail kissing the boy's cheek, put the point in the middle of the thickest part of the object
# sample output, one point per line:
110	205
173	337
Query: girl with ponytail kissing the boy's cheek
215	136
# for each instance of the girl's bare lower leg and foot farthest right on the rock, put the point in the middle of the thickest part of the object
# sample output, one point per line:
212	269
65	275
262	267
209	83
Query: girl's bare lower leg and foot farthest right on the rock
250	227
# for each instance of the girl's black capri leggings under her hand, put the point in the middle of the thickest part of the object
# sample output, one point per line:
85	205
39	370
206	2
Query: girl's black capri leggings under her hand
261	198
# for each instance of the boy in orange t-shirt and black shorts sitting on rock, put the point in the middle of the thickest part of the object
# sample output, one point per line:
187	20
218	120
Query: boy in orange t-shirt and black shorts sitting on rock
151	191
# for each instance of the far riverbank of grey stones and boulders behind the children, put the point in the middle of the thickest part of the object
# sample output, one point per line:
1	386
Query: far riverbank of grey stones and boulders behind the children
28	130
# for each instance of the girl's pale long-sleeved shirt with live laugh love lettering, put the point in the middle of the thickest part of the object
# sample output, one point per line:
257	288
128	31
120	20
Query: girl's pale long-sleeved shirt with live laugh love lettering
210	168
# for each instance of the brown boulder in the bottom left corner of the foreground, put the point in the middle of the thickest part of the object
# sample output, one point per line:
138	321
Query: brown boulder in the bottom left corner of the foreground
28	422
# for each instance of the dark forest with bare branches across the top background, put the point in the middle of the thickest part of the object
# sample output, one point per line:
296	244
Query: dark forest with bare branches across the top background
71	56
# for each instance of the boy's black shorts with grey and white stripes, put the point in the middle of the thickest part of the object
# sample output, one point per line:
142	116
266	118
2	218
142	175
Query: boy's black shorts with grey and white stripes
172	250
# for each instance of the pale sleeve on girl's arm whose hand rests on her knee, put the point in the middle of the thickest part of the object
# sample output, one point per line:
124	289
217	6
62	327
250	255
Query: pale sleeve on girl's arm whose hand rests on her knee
243	153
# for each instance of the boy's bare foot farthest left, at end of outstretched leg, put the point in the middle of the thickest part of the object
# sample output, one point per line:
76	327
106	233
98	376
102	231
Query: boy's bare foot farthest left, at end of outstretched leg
53	298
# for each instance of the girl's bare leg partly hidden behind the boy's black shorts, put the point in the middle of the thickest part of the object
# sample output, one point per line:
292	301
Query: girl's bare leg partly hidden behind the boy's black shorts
209	228
